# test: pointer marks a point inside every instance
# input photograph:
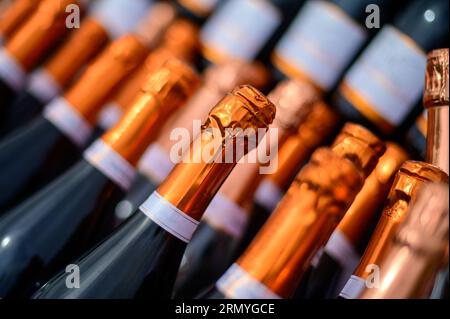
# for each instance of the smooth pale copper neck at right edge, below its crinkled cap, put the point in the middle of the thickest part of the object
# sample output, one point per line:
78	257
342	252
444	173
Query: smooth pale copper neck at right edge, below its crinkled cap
437	137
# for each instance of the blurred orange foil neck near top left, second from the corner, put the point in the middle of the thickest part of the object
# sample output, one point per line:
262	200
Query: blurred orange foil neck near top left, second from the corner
39	33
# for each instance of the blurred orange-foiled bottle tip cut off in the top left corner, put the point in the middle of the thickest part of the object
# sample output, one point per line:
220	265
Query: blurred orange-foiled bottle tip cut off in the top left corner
15	14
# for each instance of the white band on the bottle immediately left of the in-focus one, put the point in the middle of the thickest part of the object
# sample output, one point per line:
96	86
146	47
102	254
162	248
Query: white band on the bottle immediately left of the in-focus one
110	163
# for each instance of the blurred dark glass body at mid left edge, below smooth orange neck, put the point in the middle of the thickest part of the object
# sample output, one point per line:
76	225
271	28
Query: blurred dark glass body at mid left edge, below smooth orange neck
30	158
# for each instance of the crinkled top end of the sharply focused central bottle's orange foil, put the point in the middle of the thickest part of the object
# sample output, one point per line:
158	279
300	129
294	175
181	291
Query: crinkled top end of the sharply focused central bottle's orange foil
256	103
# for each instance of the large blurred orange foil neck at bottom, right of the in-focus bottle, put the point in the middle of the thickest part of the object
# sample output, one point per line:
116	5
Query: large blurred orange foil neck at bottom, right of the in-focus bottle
297	229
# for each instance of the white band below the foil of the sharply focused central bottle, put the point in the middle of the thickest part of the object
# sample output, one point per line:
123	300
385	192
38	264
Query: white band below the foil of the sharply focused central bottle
169	217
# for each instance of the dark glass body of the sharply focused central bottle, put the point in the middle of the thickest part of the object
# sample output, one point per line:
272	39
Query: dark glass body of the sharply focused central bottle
140	259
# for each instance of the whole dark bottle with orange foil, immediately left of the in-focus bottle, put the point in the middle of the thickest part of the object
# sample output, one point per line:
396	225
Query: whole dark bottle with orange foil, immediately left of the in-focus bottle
79	198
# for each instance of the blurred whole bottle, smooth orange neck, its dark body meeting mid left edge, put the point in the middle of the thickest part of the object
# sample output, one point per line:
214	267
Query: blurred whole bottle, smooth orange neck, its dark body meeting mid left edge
38	152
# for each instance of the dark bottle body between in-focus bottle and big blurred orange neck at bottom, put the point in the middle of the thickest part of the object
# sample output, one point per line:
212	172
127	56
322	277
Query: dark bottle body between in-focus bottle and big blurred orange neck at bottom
207	257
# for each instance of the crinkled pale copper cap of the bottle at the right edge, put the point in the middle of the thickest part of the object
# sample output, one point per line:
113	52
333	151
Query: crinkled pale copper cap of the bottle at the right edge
436	79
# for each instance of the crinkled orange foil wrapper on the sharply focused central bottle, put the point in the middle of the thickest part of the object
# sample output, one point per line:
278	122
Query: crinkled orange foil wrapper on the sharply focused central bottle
192	184
